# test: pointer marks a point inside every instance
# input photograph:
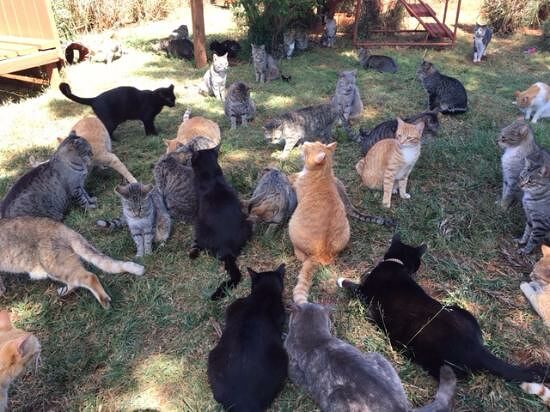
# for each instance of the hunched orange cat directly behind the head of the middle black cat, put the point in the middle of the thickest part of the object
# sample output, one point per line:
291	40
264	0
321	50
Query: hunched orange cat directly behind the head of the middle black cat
192	127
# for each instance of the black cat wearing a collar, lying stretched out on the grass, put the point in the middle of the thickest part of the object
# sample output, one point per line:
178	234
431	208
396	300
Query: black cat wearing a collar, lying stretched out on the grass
431	334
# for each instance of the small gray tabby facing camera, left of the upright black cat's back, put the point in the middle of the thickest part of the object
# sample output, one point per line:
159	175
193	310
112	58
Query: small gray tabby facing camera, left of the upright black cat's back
145	214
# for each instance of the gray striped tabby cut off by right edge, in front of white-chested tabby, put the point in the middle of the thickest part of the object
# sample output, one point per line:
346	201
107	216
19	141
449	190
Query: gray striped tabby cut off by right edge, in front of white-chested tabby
535	182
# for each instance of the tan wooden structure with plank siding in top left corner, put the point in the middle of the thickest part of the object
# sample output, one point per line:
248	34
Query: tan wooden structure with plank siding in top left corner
28	40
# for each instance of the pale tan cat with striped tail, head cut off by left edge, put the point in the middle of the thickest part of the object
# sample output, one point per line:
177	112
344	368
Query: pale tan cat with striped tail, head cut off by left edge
44	249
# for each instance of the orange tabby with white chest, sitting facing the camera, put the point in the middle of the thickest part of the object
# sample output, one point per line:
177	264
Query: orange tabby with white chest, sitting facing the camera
388	164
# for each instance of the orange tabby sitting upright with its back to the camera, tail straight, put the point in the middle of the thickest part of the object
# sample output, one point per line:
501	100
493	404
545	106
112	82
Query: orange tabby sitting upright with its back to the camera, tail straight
319	227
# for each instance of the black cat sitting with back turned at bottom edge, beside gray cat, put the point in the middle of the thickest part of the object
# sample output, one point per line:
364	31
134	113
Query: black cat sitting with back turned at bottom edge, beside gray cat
248	366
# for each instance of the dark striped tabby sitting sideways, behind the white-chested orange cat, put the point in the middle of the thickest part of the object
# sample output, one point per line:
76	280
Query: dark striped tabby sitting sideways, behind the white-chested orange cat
445	93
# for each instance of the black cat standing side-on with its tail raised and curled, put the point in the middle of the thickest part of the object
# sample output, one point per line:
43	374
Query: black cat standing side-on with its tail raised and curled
126	103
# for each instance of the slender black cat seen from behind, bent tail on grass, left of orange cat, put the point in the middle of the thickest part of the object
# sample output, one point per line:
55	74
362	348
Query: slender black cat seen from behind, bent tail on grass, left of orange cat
220	227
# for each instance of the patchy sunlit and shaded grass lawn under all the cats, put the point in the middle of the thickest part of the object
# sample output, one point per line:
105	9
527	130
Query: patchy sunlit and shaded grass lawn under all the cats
150	350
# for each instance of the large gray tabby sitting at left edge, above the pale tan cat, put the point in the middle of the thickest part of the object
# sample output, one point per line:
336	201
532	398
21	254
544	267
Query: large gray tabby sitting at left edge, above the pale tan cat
48	188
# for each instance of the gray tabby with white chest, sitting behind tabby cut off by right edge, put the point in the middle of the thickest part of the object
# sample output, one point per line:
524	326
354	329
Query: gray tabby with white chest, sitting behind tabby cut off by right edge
518	142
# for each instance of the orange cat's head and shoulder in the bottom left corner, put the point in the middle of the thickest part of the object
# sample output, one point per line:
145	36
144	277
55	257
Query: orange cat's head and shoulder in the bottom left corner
18	349
